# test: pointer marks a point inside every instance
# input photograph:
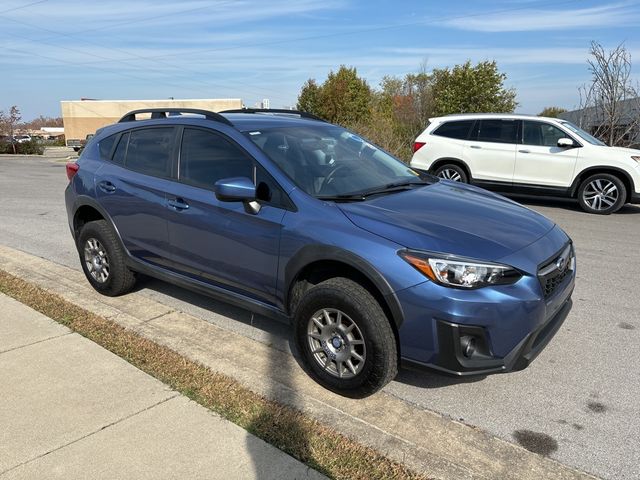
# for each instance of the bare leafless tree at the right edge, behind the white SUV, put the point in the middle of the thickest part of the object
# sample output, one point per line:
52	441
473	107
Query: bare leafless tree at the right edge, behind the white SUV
610	104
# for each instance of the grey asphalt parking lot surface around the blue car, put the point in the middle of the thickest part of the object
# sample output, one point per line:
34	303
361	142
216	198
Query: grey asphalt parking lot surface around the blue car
578	402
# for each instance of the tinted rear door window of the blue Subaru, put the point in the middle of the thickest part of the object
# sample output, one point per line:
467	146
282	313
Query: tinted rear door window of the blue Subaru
150	150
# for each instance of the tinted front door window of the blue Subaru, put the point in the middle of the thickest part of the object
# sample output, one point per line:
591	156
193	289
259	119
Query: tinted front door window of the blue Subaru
207	157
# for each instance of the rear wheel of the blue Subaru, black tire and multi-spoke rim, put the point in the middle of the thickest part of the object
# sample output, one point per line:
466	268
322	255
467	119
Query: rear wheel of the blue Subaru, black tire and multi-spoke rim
119	279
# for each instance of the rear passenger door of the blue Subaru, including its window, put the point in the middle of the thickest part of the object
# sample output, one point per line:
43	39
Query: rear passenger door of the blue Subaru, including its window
131	187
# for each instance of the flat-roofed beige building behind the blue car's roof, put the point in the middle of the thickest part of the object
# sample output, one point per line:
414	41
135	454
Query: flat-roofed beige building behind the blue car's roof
82	117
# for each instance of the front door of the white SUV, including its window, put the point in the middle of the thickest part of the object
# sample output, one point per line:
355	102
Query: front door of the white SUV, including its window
539	160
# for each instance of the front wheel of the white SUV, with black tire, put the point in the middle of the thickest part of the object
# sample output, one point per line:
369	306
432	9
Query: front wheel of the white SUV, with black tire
602	194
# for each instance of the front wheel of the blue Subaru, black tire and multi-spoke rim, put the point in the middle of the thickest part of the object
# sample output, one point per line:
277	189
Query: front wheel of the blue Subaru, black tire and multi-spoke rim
373	332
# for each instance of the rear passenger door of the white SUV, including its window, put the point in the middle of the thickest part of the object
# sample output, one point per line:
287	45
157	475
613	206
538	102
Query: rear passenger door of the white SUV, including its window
491	151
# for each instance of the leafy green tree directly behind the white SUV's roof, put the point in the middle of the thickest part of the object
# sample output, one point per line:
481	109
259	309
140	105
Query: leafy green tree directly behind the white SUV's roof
471	89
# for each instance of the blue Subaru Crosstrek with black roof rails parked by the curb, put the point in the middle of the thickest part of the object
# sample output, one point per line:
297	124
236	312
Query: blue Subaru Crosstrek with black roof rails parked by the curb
373	262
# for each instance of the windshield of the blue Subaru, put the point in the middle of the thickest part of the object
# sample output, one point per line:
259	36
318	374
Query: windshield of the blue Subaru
329	161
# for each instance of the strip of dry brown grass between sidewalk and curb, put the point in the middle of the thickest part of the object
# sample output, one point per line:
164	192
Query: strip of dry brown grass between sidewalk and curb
318	446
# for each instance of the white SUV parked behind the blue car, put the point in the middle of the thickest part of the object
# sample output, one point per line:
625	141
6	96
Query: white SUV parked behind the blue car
530	155
